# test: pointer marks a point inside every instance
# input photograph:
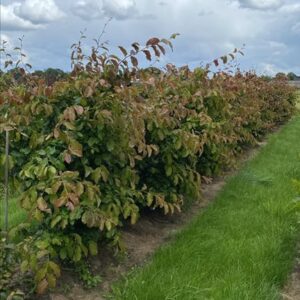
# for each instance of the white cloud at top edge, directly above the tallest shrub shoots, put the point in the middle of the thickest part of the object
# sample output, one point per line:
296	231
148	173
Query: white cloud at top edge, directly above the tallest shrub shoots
93	9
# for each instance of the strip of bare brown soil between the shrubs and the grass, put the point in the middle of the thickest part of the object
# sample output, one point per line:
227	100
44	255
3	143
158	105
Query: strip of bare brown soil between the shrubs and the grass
141	240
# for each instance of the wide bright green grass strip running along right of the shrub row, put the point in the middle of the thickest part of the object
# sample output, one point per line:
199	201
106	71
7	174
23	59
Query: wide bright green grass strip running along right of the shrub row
242	246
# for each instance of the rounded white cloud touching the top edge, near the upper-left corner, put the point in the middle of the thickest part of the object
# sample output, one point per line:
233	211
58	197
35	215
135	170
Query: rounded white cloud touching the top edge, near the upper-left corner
38	12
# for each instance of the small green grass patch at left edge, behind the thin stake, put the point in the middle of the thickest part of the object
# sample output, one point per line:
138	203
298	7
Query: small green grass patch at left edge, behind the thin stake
16	214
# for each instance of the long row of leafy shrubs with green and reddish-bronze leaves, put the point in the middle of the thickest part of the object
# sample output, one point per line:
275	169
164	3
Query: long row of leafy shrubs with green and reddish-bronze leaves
92	150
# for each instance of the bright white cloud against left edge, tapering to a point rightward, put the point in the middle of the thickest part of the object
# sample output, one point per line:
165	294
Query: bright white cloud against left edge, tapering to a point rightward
10	21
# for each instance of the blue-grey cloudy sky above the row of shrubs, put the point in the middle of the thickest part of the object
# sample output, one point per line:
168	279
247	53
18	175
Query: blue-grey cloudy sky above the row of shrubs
208	29
